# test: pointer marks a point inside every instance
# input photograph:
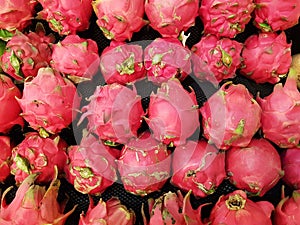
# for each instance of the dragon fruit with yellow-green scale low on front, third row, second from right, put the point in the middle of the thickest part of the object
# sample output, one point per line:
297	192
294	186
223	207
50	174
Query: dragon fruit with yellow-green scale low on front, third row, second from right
230	117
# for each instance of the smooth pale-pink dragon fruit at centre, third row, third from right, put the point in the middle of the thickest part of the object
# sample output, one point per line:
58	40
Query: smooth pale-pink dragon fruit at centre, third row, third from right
173	113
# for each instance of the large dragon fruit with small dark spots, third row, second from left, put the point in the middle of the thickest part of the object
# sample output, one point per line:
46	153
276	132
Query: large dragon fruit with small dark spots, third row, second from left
49	102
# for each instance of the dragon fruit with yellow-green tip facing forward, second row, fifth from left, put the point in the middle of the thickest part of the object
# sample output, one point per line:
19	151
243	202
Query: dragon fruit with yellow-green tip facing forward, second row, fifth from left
216	59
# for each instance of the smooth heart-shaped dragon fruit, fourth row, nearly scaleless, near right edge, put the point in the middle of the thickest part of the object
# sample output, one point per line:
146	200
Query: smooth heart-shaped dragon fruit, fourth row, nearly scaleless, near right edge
258	156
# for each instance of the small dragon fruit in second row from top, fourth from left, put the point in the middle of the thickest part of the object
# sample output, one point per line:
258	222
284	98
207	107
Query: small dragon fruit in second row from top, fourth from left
166	58
